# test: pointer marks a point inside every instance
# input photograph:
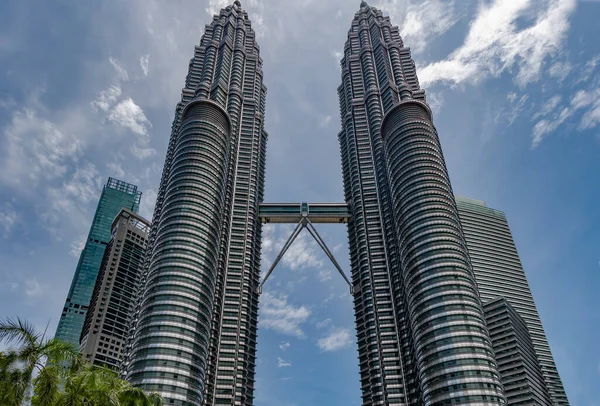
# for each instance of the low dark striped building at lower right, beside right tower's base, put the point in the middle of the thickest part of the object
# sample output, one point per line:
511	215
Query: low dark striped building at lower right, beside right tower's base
517	363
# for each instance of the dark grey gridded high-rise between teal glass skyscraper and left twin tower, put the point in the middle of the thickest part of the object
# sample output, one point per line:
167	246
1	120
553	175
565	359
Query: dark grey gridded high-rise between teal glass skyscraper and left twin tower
107	321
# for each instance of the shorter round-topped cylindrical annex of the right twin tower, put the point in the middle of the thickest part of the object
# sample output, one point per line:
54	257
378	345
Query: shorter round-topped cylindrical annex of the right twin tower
445	312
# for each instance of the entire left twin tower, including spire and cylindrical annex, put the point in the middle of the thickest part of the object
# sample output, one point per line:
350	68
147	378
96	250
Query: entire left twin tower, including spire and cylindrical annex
194	333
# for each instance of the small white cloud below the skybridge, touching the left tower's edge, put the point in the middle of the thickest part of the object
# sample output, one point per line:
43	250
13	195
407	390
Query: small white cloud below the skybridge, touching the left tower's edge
278	315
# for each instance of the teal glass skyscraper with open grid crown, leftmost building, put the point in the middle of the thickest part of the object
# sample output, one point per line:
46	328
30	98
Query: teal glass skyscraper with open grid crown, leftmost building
116	195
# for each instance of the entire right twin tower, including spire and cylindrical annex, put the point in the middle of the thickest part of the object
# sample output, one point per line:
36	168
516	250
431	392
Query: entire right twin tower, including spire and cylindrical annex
422	337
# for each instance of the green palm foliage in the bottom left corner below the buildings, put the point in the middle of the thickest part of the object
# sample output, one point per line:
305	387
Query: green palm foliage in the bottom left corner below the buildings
49	372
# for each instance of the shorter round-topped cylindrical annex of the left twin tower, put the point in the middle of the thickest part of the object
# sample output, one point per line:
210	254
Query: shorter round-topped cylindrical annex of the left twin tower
174	320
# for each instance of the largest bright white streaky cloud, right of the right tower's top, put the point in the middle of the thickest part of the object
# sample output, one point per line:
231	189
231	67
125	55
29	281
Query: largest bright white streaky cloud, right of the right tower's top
496	43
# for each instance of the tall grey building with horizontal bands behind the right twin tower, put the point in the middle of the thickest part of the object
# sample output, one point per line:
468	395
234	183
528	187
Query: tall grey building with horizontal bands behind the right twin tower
499	273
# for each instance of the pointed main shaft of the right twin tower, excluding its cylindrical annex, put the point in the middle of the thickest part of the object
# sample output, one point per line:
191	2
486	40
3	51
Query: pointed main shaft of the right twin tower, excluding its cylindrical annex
367	90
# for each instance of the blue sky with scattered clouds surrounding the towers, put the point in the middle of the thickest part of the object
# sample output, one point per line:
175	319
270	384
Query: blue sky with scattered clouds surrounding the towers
88	90
